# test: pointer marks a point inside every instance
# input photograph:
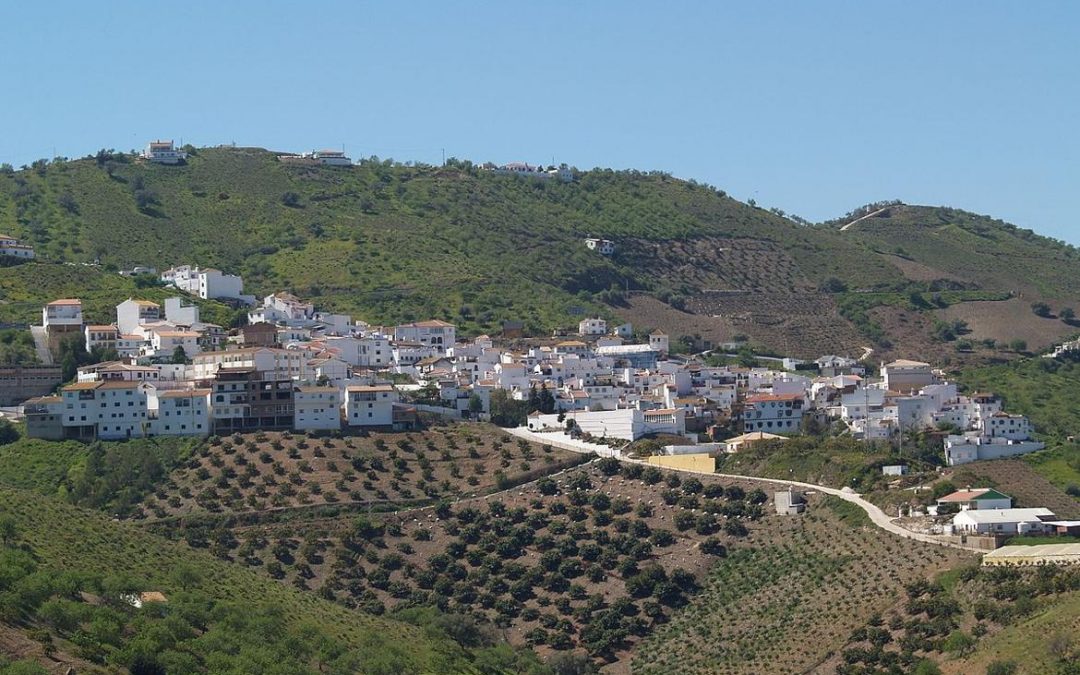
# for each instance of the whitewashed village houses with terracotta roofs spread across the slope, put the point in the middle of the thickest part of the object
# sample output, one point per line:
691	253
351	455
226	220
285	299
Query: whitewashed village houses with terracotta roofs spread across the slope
292	368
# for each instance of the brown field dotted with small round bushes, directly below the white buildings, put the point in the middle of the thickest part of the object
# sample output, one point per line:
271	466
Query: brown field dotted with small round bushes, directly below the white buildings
278	471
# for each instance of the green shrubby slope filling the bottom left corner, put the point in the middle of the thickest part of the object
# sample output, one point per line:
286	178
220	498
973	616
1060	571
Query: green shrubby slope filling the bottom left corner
220	617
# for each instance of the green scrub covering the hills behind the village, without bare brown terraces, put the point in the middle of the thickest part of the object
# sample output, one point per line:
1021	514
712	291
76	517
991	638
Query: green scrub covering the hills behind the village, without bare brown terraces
394	242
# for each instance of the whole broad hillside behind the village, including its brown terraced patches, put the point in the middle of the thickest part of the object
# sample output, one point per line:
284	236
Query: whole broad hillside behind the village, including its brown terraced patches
393	242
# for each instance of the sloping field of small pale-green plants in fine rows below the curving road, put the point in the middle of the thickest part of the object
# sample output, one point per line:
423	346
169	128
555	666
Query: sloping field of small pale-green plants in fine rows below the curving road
790	603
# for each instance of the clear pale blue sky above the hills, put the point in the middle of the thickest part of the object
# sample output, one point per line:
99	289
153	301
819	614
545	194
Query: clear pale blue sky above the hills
814	107
